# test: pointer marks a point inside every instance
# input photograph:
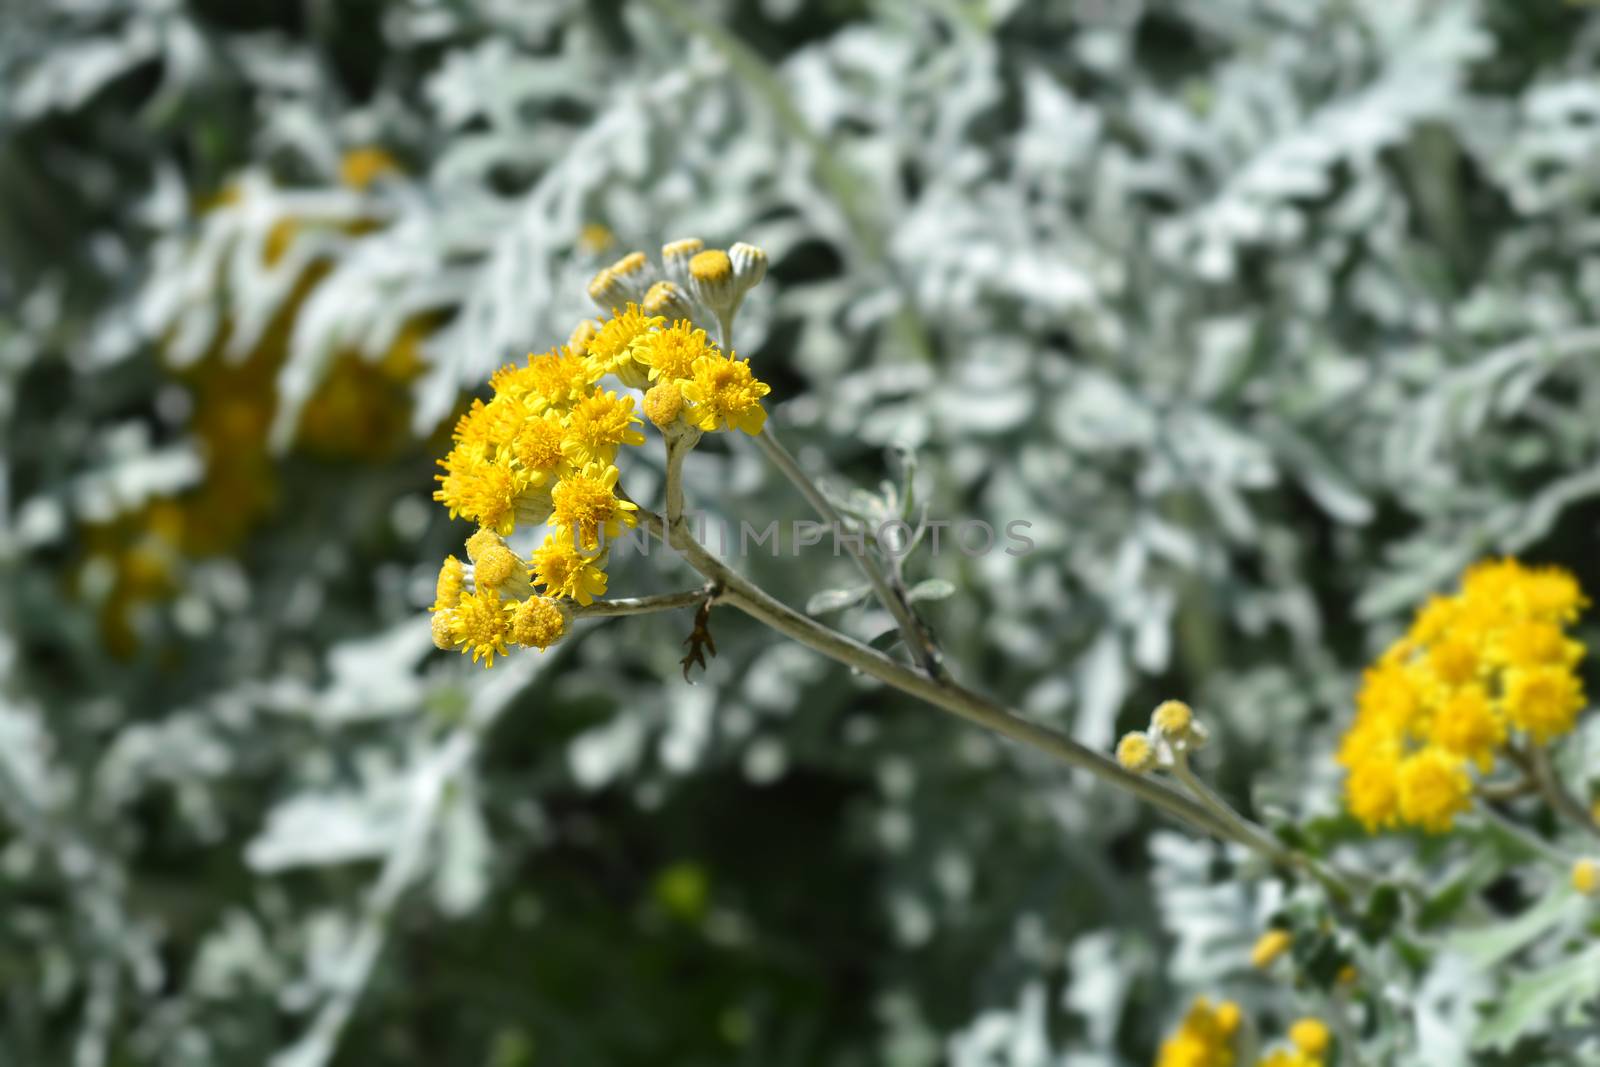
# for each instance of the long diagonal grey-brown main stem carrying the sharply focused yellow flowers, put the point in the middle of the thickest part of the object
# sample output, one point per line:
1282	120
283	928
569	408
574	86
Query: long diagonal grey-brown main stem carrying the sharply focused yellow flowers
753	601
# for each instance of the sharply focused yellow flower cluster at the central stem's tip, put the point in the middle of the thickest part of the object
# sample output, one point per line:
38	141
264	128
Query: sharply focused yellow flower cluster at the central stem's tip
545	449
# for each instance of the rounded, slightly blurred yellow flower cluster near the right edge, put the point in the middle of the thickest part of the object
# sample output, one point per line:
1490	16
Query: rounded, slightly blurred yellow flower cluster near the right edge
1484	669
